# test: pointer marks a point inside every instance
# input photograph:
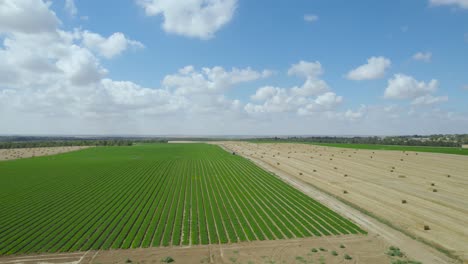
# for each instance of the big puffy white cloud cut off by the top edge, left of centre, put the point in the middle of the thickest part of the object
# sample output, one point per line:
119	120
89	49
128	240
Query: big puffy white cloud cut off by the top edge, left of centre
194	18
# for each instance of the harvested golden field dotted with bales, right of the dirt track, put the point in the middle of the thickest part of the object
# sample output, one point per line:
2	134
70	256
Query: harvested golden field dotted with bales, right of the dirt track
422	194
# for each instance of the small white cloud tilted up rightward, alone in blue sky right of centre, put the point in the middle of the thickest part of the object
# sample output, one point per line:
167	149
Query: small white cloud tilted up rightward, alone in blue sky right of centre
374	69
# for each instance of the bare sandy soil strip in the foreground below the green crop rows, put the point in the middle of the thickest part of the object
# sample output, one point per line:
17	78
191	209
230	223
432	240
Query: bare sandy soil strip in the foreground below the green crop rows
362	249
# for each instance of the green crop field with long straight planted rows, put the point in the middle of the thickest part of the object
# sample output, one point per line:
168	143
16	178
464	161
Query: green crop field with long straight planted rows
150	195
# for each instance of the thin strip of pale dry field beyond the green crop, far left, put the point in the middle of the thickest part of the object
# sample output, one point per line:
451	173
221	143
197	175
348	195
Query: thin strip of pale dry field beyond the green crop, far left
11	154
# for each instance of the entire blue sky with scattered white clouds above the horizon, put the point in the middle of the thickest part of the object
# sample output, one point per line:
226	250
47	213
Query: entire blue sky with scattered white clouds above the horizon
264	40
